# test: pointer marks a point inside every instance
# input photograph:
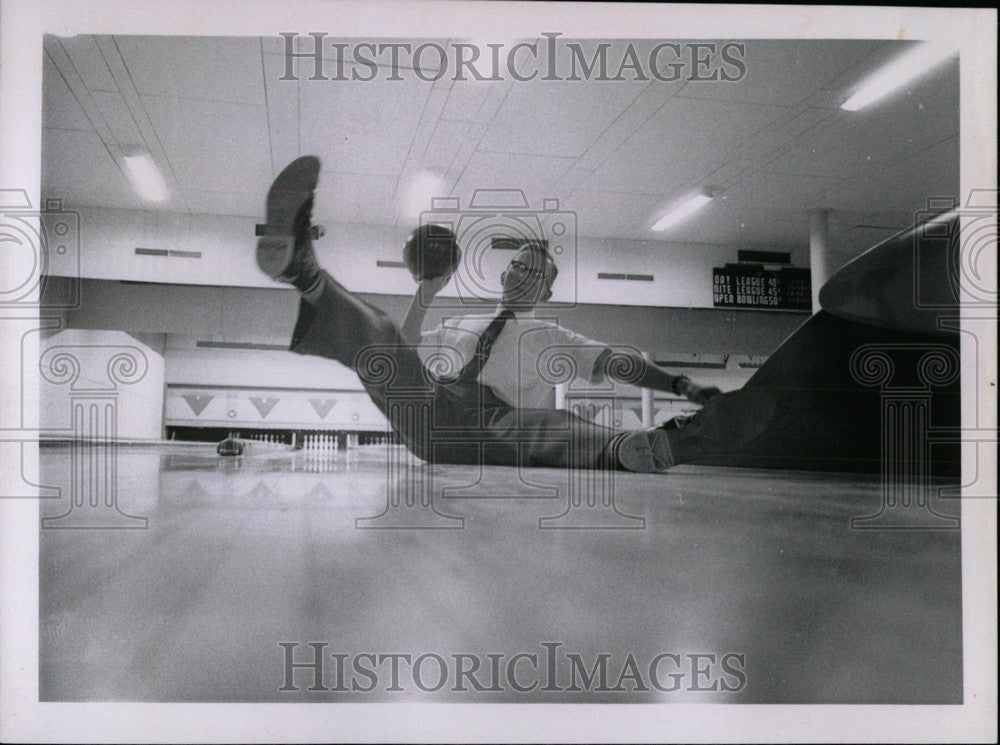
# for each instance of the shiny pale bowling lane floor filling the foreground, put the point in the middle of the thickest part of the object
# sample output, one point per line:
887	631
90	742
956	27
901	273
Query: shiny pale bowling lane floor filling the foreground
721	585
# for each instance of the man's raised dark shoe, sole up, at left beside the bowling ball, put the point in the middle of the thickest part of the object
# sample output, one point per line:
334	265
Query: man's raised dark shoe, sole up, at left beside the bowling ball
293	187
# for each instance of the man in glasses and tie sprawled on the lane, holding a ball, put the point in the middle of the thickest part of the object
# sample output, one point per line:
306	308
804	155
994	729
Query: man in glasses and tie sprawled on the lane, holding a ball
457	417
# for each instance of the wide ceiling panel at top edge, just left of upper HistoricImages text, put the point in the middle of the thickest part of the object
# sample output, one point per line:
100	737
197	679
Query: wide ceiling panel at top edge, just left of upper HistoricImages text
212	68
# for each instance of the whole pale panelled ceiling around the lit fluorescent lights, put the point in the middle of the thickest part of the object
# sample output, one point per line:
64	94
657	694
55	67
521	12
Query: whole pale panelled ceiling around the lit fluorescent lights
775	143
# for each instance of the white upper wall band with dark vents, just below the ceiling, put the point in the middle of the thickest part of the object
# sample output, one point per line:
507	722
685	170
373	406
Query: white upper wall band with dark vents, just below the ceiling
109	237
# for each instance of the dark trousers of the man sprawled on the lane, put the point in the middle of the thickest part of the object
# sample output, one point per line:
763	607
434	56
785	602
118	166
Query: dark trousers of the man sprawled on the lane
439	422
